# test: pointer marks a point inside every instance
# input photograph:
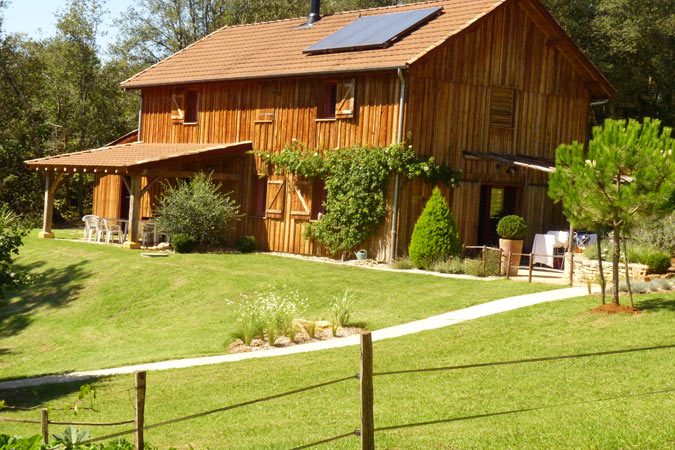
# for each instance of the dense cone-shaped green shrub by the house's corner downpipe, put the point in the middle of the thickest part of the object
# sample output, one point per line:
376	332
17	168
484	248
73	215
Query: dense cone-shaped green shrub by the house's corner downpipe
435	236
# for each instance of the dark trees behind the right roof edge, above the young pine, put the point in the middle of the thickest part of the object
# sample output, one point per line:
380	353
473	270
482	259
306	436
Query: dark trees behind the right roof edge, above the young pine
633	44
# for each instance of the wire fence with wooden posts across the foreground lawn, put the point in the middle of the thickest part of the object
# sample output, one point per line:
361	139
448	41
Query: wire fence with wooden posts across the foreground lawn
365	378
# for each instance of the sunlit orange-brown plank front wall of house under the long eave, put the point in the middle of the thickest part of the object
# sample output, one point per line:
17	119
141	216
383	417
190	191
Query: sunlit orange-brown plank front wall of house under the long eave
229	112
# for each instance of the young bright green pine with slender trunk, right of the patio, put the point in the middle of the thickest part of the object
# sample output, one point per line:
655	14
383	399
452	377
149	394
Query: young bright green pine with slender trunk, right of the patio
627	174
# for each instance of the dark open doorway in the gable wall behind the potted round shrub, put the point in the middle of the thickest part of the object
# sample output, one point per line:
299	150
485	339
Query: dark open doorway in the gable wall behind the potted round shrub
495	203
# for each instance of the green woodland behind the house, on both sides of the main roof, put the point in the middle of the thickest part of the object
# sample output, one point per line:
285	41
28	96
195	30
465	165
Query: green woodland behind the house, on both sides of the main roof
60	93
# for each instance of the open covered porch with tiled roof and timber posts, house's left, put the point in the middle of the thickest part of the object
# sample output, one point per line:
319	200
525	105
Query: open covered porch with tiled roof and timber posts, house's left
137	169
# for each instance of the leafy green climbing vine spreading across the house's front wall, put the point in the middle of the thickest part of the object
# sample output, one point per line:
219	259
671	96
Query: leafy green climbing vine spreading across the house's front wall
356	180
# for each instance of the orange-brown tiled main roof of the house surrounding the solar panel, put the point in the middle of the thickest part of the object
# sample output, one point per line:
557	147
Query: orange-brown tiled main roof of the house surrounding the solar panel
275	48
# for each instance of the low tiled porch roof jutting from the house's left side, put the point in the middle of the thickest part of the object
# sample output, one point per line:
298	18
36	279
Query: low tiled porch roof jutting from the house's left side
133	157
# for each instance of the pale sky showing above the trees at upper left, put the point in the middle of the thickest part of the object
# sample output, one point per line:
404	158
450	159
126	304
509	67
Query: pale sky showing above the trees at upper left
36	18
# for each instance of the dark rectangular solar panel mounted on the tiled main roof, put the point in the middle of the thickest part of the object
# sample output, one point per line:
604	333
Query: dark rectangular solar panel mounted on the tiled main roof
373	31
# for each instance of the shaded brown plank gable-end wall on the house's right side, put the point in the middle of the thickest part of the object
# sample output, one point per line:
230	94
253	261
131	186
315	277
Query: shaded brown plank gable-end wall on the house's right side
449	112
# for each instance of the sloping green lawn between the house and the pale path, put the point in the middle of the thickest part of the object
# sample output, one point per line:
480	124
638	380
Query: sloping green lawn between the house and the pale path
101	306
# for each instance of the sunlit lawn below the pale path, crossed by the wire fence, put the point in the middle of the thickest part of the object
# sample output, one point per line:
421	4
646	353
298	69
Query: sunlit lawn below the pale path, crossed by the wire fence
567	389
